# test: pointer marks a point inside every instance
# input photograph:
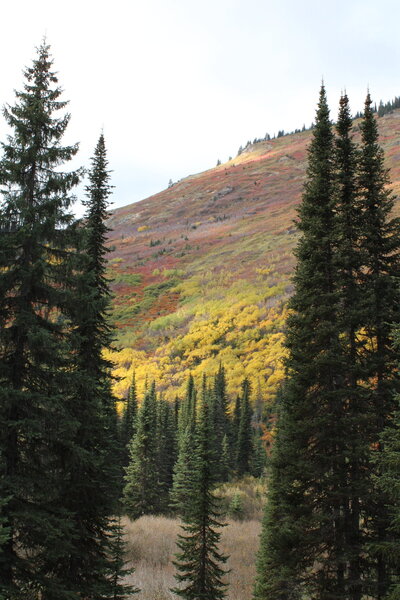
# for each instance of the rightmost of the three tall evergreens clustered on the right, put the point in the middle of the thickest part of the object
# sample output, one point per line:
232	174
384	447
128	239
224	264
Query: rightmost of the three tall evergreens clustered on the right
379	245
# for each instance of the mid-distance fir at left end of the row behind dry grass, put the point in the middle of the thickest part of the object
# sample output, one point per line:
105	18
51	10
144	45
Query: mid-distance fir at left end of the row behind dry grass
140	495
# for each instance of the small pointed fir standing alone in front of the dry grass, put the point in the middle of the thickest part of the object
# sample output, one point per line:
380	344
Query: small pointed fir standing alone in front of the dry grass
199	561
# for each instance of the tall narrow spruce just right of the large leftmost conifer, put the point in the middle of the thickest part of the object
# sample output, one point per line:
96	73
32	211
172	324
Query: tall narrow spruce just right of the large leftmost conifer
91	477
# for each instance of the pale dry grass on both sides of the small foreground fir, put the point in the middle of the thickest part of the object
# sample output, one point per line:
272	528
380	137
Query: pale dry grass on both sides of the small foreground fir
151	546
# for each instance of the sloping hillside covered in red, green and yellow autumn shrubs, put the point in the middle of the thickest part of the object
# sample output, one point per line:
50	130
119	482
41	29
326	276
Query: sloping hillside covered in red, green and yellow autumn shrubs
202	269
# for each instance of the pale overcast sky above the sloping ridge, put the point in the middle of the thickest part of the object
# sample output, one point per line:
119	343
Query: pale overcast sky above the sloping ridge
178	84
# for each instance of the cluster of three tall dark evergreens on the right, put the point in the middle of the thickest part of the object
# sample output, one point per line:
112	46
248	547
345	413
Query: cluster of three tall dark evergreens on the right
326	523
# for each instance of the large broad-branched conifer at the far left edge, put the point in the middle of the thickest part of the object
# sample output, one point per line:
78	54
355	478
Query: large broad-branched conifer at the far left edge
38	427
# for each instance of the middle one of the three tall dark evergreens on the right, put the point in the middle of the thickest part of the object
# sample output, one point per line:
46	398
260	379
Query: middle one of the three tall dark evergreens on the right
352	483
